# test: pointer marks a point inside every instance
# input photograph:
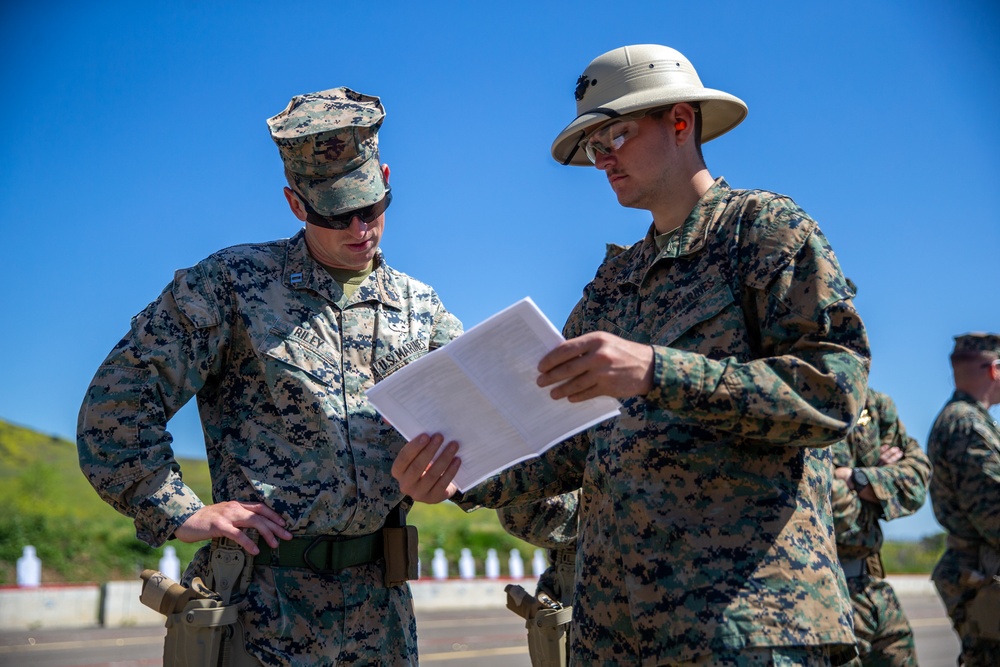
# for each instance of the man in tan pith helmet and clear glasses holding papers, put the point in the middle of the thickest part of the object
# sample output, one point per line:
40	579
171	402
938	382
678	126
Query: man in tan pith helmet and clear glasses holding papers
729	334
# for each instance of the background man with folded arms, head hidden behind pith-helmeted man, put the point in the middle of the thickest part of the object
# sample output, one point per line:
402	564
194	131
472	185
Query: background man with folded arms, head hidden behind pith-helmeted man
880	473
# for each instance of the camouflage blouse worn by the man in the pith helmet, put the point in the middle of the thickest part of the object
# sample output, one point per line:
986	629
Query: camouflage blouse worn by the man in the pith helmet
705	515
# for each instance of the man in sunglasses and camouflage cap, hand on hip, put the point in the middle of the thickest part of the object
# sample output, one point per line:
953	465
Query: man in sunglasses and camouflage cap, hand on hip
278	342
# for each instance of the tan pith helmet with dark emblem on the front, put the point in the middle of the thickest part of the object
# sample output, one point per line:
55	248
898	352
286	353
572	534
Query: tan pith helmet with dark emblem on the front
644	76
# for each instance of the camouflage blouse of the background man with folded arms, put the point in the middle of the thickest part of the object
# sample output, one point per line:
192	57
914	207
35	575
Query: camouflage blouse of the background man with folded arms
901	487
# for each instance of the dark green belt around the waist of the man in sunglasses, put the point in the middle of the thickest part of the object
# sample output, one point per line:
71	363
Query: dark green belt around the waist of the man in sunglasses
323	554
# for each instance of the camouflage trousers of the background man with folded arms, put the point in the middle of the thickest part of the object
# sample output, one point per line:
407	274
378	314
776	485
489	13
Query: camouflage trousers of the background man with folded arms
880	626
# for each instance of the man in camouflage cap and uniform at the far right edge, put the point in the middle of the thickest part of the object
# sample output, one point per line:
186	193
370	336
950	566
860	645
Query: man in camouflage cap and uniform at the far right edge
964	448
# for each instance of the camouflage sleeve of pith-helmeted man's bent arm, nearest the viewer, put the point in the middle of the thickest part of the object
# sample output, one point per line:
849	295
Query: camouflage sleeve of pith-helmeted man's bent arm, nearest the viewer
808	385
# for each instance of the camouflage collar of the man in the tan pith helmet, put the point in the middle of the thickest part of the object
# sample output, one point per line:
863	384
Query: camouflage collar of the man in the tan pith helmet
689	239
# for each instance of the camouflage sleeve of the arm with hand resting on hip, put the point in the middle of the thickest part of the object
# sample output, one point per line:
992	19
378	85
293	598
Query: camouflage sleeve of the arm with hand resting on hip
122	439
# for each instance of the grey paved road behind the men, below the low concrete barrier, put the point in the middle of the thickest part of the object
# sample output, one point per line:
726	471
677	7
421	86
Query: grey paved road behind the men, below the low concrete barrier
487	638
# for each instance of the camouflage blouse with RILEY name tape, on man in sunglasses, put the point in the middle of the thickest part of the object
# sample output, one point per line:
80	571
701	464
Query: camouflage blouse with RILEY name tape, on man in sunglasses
279	362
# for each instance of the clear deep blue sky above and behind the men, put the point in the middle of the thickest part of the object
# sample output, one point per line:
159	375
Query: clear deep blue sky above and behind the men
135	144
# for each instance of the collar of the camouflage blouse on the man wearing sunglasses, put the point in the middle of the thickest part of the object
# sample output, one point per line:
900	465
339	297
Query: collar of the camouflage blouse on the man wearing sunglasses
304	272
